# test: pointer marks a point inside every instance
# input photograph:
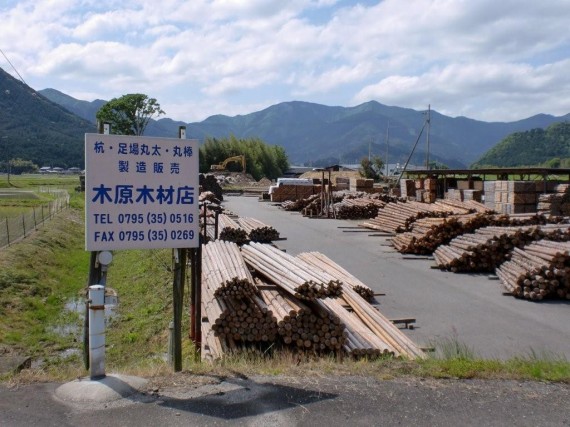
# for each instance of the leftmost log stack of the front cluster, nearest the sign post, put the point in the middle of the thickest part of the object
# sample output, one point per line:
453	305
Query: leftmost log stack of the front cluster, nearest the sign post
234	310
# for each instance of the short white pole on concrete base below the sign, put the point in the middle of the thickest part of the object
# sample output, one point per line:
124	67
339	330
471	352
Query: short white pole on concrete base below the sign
97	331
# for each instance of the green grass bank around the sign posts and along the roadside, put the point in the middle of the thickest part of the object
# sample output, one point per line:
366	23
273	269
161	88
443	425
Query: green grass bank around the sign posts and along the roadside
42	283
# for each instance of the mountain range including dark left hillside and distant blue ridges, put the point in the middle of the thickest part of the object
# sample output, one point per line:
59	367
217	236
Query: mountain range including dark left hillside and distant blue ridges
310	133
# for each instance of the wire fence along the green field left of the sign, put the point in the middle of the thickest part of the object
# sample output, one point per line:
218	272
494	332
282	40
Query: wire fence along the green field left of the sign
13	229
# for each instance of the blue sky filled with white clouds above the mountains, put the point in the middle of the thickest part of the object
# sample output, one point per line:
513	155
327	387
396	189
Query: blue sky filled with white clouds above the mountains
493	60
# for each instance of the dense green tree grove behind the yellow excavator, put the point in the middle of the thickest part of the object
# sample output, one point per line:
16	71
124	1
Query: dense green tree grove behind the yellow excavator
262	160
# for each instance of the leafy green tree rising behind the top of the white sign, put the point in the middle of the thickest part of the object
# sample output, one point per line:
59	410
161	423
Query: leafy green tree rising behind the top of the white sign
129	114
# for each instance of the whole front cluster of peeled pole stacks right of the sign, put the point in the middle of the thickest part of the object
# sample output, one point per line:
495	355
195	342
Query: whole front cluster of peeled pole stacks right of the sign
271	305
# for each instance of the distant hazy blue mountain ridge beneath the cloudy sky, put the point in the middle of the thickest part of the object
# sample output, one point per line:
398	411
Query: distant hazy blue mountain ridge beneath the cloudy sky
323	135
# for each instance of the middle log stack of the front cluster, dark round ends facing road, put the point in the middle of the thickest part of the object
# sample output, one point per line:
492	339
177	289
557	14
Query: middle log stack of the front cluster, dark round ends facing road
305	328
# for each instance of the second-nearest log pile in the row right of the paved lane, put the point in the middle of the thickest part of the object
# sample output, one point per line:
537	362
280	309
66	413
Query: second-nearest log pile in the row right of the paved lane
489	247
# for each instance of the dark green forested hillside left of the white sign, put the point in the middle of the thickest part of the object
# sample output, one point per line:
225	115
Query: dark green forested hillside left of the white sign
37	129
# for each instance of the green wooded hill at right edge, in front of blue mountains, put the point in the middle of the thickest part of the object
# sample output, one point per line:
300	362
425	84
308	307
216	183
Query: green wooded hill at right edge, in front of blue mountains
534	147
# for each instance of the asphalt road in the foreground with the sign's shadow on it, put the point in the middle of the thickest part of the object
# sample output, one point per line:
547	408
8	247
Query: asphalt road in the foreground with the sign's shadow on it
306	401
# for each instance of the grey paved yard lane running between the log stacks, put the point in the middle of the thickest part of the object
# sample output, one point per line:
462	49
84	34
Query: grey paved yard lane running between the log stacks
448	307
